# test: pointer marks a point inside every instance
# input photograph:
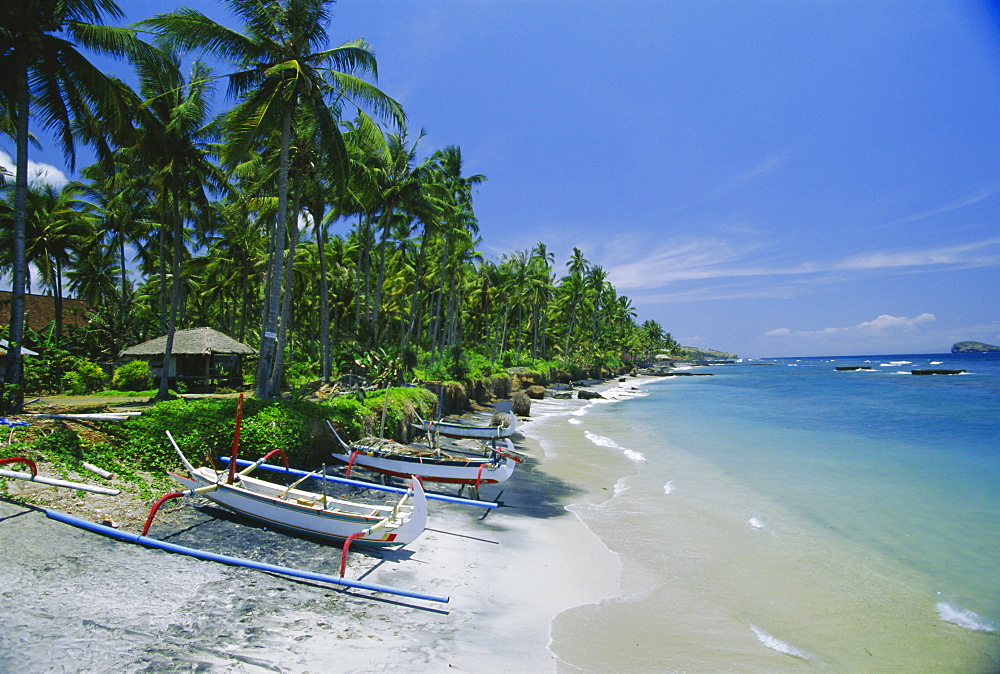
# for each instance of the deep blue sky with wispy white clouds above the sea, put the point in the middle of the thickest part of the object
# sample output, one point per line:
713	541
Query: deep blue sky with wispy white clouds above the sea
767	178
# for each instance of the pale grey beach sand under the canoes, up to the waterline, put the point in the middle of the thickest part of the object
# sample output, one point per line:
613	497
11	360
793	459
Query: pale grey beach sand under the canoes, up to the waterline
75	600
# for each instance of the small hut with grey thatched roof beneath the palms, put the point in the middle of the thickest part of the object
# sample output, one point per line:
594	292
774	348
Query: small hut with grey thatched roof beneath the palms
200	357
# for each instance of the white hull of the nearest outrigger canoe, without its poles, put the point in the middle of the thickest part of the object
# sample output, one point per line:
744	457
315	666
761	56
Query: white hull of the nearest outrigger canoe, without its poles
303	512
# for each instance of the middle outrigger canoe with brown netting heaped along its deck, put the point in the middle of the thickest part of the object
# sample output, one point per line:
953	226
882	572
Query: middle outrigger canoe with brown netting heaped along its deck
389	458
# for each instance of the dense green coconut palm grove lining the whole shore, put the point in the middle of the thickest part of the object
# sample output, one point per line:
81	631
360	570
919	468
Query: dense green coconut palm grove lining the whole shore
253	178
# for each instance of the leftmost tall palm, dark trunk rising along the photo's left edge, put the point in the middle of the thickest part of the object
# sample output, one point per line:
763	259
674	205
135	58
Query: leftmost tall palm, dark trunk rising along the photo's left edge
45	75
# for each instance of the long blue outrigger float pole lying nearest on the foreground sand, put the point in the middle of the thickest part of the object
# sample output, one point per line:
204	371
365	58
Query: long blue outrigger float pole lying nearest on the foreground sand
234	561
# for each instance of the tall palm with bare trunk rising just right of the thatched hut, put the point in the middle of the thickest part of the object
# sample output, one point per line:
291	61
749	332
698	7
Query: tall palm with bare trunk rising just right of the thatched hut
282	66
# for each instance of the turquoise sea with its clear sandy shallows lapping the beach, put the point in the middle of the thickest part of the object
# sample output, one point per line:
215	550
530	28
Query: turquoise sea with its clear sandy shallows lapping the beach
782	515
